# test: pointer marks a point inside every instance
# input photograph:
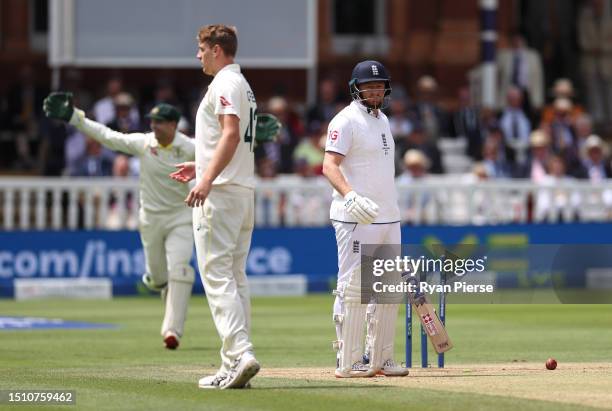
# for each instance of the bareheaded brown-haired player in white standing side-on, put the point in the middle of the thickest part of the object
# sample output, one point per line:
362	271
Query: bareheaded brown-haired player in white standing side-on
223	201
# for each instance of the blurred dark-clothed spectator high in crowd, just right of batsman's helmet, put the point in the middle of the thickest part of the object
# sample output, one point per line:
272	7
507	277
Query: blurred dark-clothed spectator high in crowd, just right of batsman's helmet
427	112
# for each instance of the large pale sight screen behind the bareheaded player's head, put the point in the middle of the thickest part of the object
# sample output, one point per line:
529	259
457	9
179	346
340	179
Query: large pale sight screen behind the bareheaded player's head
273	33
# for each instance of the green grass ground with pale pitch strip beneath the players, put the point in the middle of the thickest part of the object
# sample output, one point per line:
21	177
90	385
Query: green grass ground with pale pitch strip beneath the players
497	362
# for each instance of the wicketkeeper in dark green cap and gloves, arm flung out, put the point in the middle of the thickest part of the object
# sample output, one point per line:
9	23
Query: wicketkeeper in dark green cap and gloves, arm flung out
164	221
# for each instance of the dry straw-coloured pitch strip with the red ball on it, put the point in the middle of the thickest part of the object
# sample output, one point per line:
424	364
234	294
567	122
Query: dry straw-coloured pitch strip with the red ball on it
586	384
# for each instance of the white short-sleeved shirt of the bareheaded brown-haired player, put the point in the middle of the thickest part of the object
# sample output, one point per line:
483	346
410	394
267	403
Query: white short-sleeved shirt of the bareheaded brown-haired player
228	93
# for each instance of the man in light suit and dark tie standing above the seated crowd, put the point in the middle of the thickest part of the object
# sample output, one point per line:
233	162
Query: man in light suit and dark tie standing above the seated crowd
521	67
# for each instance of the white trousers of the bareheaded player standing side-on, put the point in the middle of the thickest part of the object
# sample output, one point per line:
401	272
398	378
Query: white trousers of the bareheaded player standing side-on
222	229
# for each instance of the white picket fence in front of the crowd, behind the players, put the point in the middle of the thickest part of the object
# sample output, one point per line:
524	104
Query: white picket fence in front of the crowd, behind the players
101	203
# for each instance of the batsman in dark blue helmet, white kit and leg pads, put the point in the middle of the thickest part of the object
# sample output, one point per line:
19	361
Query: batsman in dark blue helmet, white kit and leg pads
359	163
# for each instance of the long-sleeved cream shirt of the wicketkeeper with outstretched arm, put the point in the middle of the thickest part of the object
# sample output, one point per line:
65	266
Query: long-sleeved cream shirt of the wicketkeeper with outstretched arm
158	192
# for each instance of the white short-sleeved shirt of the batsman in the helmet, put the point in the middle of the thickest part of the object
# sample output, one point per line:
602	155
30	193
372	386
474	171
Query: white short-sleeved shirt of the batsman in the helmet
368	148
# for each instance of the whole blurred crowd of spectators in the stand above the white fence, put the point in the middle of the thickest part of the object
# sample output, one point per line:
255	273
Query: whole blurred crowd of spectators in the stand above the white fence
533	131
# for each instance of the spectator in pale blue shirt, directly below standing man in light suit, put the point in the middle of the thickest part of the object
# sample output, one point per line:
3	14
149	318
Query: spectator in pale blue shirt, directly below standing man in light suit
515	126
